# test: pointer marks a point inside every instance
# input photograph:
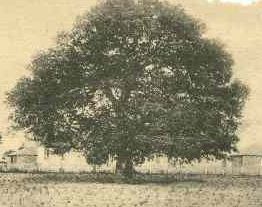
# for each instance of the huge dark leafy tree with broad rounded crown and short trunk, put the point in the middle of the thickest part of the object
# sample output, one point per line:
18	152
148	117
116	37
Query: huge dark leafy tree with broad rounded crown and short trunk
131	80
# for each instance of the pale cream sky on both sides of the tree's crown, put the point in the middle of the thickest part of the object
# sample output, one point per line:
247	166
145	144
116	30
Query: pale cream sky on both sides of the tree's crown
27	26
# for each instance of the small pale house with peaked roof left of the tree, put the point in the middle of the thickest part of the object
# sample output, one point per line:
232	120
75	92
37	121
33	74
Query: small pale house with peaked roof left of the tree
24	158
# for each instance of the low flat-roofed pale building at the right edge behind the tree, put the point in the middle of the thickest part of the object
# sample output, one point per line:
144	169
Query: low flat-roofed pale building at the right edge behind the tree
246	164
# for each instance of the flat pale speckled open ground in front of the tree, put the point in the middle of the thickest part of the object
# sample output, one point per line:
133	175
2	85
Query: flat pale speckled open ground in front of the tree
82	190
